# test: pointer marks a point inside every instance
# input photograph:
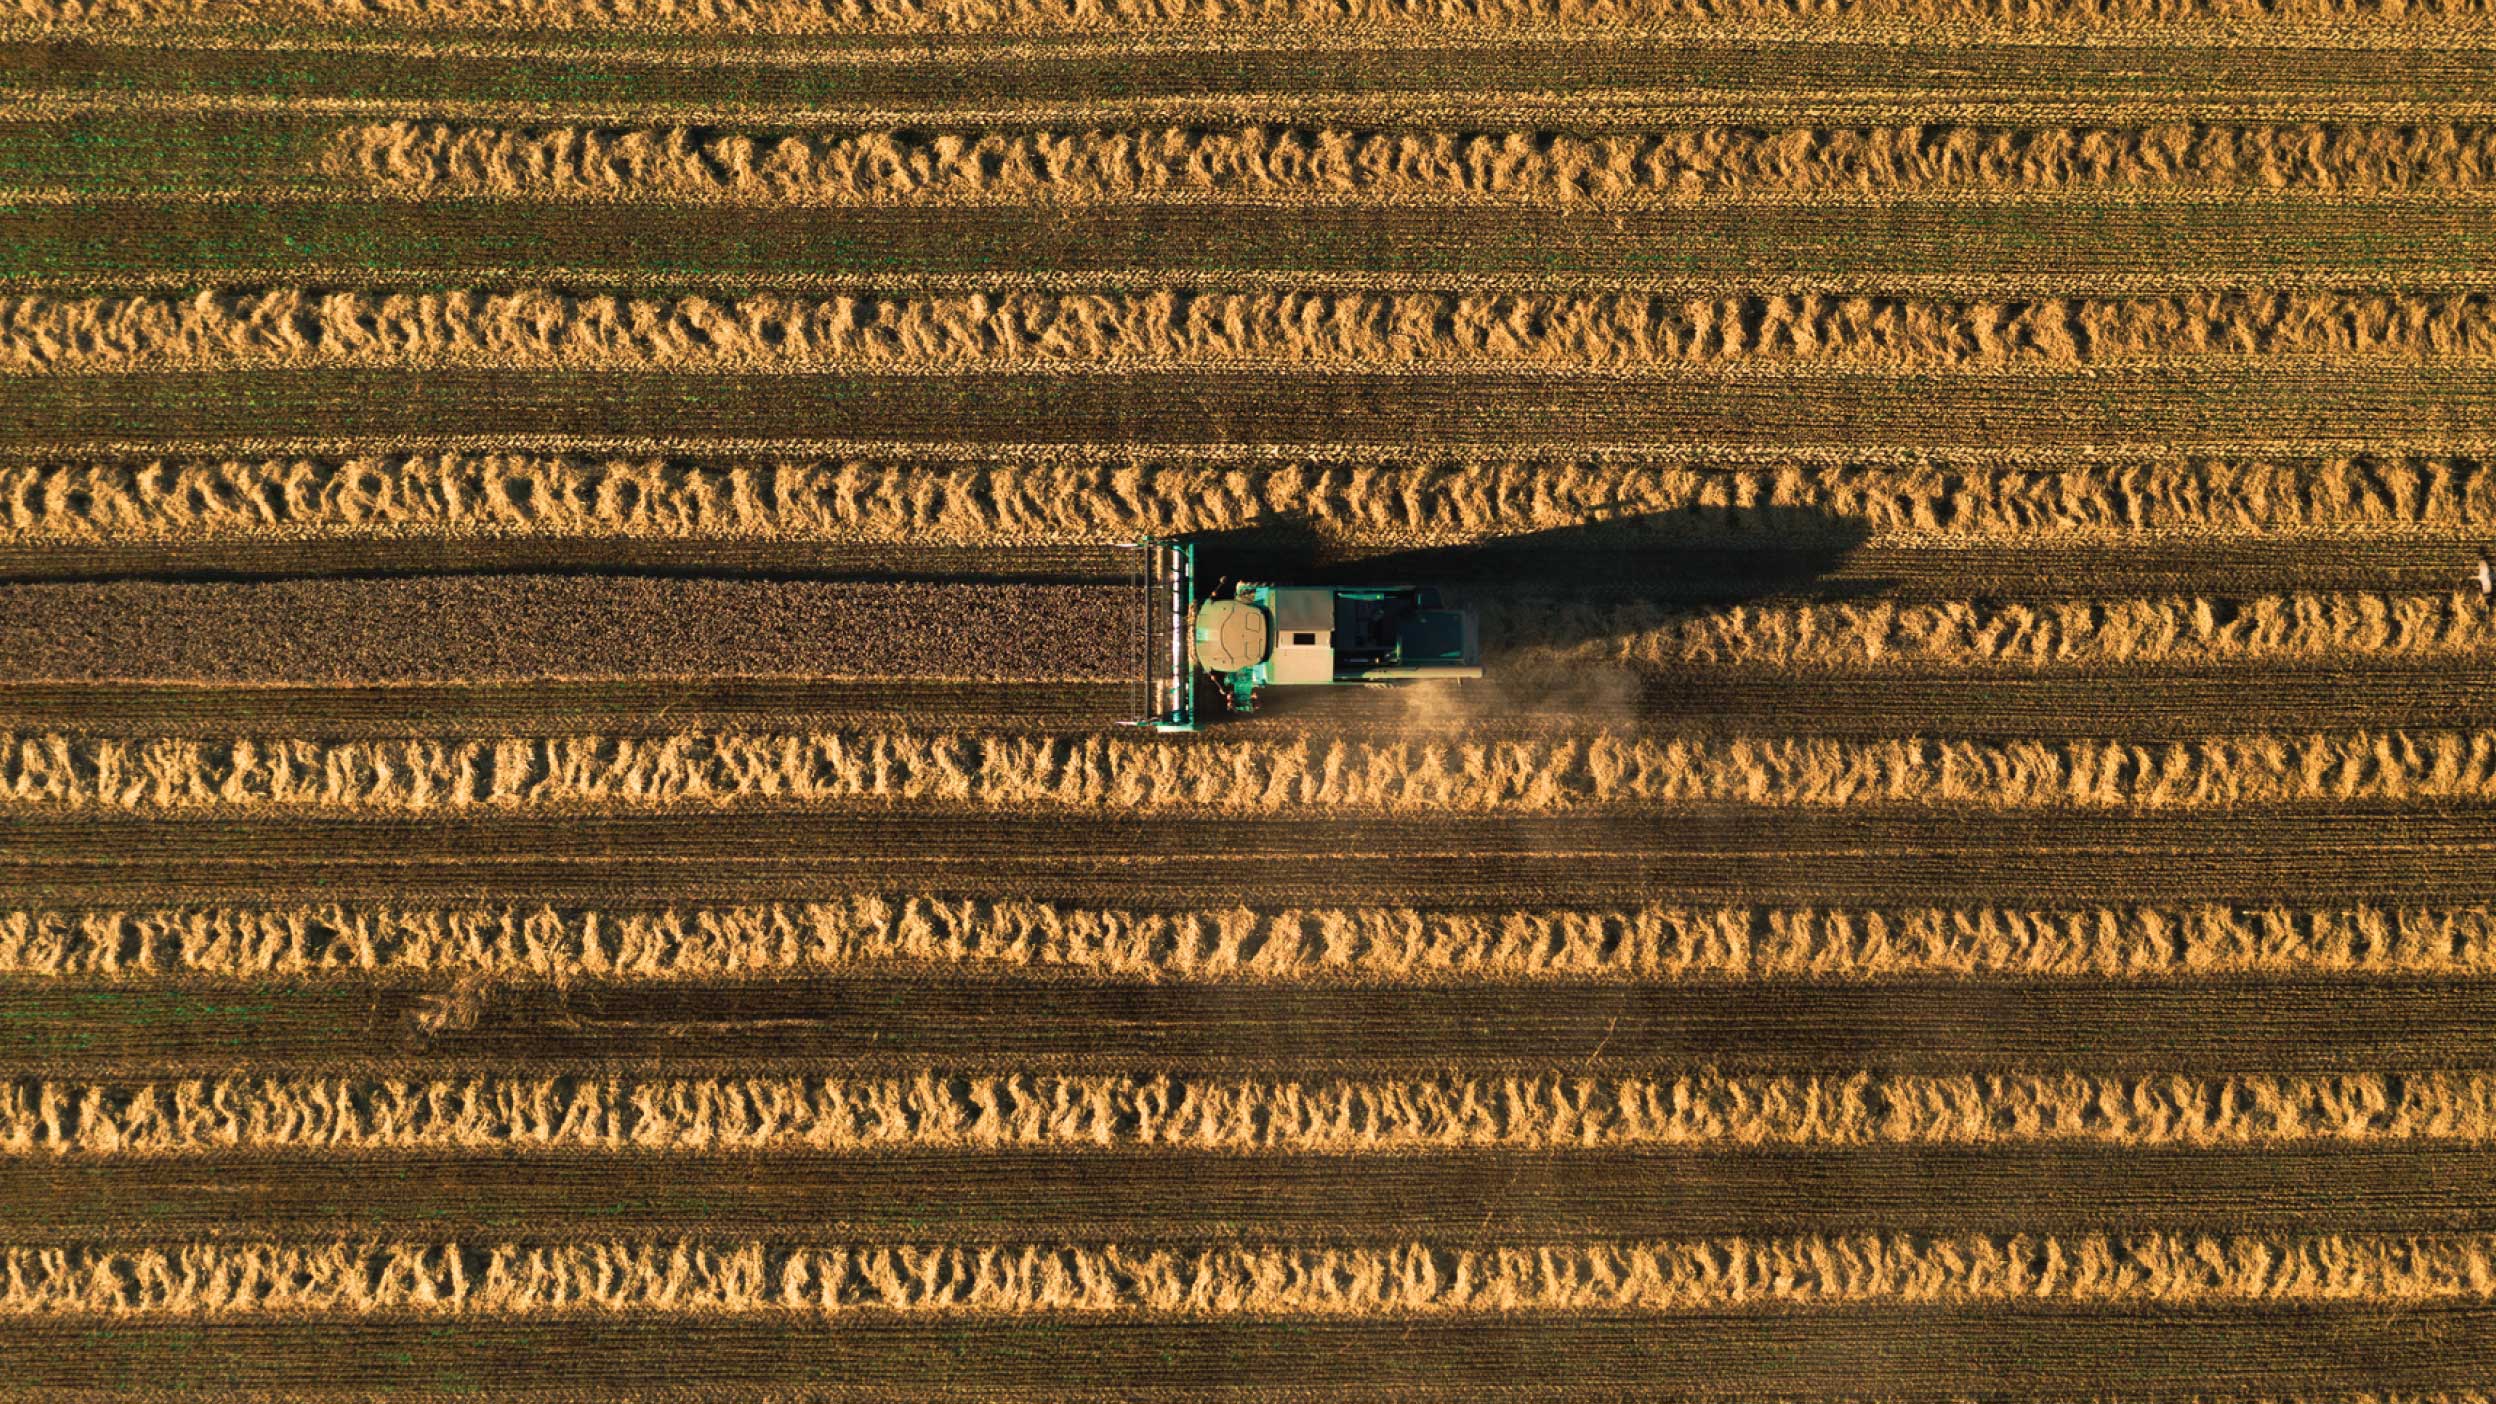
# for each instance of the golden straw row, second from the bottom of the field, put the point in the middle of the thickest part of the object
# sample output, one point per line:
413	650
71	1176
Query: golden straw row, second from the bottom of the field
1085	1113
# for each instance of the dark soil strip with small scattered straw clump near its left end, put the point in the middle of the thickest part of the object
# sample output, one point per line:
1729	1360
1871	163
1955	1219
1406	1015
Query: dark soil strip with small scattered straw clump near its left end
1005	1026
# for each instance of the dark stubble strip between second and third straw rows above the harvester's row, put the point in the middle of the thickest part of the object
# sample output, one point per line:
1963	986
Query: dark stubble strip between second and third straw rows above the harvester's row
2265	401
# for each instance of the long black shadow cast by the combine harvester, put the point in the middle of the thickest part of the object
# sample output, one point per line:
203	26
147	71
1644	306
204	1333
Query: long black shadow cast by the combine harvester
1579	586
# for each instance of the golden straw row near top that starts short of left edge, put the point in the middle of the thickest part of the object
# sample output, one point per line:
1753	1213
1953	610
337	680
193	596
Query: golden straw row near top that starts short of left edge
1342	164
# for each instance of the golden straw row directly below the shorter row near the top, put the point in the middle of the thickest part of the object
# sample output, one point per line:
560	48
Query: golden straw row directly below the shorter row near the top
1217	329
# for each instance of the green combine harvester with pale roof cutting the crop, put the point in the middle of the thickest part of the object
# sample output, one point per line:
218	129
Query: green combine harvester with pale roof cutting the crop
1292	636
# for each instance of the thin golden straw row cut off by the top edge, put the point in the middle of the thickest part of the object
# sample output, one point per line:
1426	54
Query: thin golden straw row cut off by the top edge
2435	19
